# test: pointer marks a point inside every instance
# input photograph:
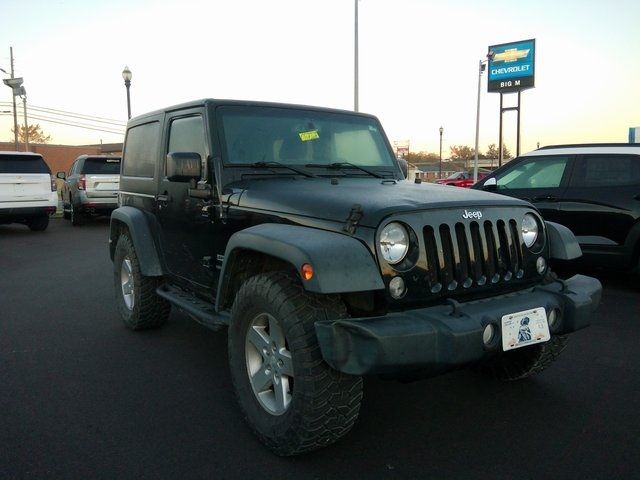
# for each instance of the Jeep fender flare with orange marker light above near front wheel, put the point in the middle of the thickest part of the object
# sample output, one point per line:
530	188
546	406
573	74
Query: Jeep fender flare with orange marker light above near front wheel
341	263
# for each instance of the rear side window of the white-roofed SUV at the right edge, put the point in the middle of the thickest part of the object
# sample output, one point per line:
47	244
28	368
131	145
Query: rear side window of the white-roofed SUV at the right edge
607	171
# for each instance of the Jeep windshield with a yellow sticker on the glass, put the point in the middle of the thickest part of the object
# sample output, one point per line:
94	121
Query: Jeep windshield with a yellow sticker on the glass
305	138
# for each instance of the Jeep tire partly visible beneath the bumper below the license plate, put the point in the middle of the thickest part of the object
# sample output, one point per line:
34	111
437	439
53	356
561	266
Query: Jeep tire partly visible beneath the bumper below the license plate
524	362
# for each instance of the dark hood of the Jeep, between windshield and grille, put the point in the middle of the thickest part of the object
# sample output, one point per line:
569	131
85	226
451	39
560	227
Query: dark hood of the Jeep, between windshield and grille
319	198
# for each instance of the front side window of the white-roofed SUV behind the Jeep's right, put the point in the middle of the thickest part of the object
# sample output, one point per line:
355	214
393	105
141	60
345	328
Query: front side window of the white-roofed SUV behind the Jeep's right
537	172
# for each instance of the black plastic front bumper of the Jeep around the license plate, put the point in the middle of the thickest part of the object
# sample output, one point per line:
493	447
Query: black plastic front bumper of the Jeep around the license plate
436	339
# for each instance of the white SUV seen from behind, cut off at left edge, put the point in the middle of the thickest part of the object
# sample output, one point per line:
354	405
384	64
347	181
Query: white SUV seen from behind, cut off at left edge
27	190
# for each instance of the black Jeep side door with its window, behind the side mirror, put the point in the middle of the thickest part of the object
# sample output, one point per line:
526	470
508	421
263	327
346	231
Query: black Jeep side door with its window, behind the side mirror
186	229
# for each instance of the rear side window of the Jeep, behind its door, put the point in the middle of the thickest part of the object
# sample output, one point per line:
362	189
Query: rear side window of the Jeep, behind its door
141	150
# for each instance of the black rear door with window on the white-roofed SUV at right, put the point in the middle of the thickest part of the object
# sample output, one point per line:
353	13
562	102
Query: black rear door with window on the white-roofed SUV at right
602	201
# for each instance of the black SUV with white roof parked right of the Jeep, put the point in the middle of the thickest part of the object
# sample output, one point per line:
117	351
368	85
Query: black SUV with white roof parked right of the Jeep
593	189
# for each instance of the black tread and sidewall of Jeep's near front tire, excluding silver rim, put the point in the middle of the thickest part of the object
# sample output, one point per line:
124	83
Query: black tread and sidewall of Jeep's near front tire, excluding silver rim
324	402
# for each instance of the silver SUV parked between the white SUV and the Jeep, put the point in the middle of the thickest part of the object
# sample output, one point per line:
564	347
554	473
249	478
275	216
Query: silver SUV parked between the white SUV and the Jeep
91	187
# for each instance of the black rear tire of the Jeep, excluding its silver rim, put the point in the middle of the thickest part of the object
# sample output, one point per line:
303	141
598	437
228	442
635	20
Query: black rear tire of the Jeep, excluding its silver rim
149	310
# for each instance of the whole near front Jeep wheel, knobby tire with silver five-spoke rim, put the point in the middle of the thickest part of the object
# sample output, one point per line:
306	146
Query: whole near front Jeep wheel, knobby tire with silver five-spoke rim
290	397
